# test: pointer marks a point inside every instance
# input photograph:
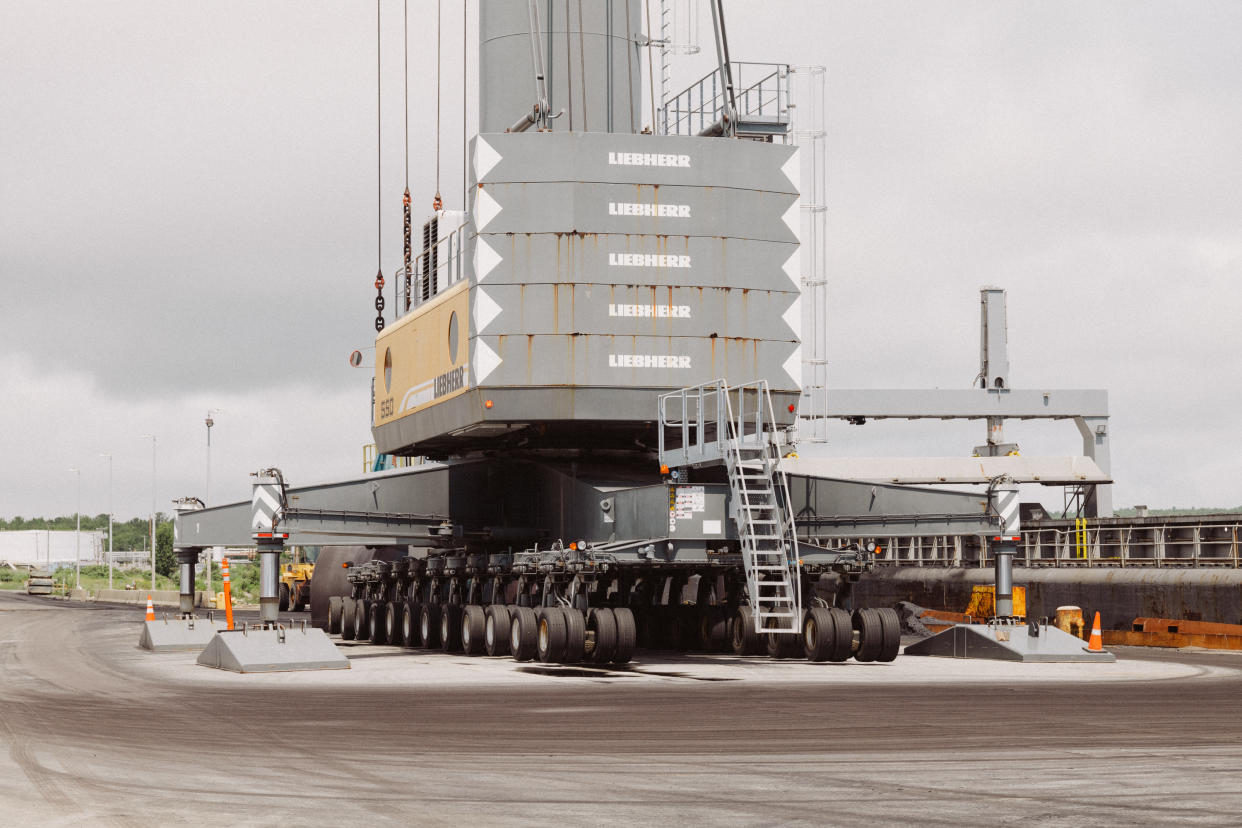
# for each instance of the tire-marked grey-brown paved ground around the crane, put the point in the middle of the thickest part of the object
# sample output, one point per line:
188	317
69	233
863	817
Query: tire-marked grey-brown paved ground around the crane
100	733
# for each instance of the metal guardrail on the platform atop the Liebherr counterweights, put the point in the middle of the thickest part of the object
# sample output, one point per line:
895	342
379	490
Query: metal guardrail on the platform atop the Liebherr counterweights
762	94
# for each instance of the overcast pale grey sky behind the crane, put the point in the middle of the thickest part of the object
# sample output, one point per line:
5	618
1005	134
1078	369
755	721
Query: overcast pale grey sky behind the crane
188	223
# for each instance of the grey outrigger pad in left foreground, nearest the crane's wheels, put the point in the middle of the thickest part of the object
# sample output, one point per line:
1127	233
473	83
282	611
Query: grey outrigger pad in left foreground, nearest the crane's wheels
273	651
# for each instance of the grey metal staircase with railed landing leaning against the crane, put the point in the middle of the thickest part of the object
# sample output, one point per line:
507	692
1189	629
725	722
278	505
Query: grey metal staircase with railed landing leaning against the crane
737	426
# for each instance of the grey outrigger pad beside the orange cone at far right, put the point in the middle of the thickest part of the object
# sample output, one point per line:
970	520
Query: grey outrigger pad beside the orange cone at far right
1008	644
